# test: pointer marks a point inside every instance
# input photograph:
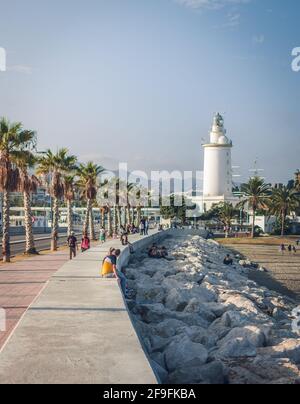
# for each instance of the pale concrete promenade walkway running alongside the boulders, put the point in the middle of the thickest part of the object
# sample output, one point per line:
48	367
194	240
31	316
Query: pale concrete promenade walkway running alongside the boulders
77	331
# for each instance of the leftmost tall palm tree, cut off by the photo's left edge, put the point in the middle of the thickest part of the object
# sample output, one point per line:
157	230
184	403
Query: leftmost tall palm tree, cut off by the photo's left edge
12	138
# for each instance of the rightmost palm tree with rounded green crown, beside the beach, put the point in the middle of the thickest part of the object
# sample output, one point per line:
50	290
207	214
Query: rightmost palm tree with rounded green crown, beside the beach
284	201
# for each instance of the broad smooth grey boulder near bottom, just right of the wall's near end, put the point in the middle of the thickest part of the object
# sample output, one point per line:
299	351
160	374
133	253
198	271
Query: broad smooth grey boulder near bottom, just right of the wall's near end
183	352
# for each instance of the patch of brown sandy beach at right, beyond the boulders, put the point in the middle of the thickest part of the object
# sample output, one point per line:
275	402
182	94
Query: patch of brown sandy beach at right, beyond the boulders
284	271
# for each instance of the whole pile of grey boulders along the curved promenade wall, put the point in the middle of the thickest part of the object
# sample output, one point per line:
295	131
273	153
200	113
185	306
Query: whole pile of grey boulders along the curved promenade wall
206	323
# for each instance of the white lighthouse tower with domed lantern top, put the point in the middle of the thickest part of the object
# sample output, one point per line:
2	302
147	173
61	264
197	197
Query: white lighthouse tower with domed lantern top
217	181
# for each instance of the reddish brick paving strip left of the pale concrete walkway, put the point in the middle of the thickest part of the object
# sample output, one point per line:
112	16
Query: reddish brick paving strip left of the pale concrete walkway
21	282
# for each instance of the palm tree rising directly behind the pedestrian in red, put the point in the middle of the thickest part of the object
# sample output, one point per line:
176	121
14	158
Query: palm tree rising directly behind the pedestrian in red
88	182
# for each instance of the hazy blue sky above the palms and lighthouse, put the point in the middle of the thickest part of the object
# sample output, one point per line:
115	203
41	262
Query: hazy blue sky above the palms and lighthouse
139	80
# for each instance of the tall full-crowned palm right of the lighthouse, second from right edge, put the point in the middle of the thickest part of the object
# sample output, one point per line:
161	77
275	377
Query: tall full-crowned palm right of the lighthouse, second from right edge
256	196
